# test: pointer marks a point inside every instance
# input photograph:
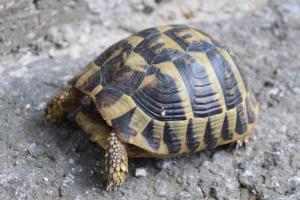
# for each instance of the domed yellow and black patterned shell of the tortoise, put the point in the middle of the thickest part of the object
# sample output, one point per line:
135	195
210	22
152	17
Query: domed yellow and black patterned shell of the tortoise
211	82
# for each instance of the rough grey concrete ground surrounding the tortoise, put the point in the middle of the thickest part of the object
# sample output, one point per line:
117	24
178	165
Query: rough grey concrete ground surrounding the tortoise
42	161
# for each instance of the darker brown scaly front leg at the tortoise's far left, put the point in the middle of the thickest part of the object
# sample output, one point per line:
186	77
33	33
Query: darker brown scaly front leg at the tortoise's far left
58	107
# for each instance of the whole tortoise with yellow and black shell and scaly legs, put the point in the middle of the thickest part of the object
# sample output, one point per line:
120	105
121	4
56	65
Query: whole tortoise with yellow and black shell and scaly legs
161	92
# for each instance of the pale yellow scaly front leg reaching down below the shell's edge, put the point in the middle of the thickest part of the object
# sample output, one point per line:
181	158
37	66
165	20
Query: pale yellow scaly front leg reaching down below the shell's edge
116	162
